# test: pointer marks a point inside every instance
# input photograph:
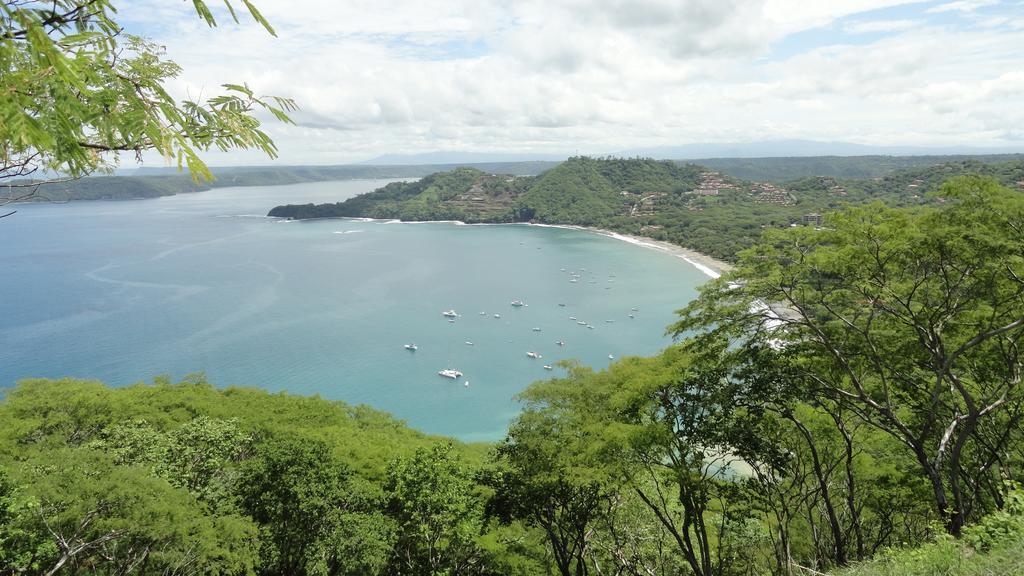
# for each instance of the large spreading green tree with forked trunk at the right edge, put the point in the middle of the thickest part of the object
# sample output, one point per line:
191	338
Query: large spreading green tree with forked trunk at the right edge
910	319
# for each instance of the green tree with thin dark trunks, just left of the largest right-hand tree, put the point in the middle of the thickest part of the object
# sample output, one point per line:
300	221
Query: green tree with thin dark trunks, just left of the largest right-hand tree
670	428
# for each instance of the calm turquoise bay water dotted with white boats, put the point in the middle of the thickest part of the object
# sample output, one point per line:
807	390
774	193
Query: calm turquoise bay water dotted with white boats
123	292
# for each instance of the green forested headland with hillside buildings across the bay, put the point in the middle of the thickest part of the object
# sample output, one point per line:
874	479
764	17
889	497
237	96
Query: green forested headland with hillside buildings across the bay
686	204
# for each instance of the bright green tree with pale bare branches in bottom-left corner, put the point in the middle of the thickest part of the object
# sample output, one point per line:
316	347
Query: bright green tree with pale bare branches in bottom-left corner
83	514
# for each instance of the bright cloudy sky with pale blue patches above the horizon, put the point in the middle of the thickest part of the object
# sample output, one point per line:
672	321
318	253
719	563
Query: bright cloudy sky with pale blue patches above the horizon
377	77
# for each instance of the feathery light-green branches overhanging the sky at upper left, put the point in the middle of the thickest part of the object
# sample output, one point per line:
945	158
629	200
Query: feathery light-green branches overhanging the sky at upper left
75	89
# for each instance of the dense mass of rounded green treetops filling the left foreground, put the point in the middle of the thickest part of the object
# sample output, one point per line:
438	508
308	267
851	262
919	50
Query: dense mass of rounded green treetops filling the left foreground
186	479
